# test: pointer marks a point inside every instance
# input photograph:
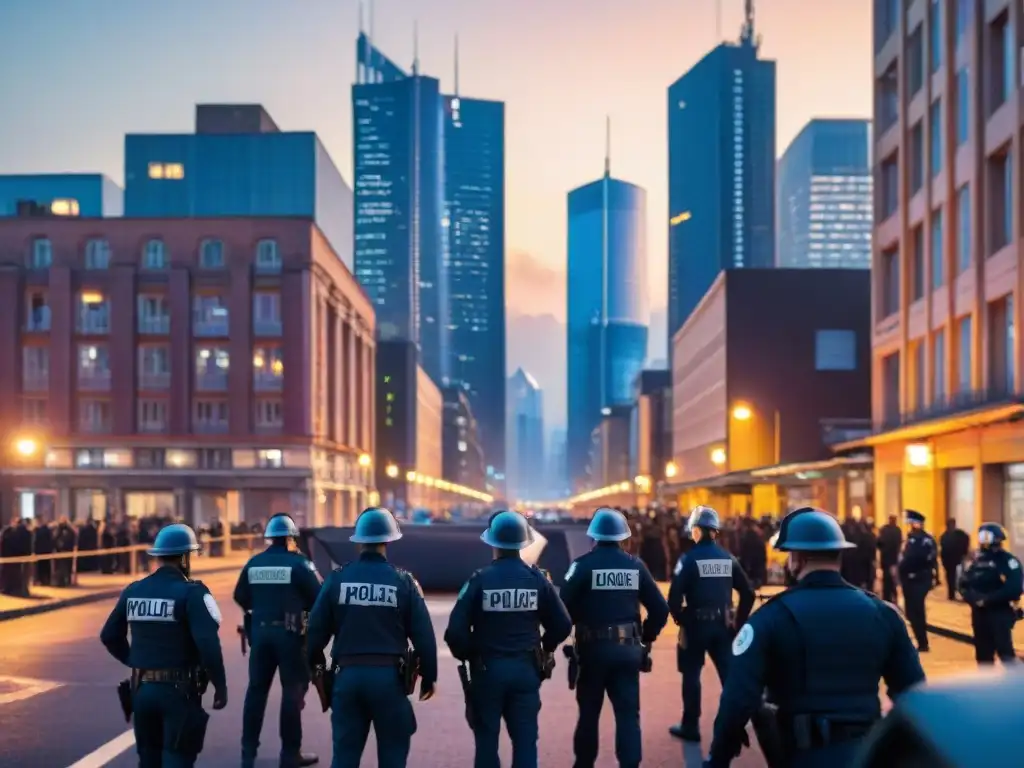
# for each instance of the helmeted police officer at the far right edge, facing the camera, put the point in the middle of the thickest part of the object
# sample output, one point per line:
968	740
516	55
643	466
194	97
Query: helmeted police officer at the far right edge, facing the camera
990	585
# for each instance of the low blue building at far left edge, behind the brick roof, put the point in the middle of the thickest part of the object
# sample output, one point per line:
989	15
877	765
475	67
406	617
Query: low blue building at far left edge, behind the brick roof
90	195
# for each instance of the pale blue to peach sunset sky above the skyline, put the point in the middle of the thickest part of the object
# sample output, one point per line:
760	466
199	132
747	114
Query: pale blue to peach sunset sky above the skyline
80	74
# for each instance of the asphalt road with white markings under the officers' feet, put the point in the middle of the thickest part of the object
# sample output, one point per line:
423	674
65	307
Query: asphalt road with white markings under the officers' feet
59	707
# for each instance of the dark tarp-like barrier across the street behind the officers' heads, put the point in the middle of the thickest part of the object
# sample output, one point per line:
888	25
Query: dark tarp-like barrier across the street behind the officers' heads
443	558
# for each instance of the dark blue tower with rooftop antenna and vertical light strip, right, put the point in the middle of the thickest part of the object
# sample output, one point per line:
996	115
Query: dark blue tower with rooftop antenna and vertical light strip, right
721	170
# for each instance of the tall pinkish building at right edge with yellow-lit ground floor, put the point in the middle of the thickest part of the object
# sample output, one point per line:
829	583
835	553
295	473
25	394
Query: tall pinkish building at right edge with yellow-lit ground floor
948	269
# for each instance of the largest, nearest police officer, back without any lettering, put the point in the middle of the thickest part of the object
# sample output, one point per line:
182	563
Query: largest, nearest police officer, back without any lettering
820	649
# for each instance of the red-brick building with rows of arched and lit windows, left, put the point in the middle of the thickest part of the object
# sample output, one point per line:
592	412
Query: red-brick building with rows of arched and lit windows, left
152	369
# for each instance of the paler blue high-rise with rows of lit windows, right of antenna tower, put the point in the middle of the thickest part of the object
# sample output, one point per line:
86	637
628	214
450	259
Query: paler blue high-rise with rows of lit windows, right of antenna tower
825	197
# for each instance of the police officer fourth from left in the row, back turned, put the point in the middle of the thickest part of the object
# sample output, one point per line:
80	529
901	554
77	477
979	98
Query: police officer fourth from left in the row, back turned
496	627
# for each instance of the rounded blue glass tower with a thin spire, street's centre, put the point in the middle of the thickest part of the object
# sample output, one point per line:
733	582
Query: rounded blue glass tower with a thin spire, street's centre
608	306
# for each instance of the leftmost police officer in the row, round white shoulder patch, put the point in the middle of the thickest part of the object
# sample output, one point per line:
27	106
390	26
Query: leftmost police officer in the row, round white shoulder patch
175	652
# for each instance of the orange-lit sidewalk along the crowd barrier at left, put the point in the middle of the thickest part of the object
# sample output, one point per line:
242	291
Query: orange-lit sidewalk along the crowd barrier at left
96	587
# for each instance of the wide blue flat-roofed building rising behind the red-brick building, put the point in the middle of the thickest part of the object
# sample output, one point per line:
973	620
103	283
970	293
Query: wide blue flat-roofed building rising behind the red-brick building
238	163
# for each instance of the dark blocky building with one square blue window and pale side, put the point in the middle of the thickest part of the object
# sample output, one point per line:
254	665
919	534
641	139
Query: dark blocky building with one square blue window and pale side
757	375
